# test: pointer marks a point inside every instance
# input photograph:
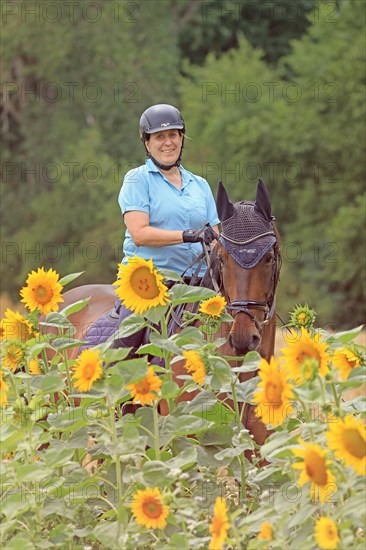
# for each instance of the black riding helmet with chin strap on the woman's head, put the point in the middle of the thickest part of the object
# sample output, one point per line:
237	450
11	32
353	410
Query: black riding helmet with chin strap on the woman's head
157	119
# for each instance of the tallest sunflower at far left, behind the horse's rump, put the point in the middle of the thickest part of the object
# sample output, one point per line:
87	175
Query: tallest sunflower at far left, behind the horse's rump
43	291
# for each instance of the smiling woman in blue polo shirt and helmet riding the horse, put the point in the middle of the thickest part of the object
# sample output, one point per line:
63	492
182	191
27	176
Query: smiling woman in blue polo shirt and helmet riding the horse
165	207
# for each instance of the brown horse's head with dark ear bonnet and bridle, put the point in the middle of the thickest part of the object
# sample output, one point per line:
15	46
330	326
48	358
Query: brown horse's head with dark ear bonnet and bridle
246	262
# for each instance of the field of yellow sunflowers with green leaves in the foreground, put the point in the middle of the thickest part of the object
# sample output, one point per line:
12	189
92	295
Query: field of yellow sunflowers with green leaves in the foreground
82	467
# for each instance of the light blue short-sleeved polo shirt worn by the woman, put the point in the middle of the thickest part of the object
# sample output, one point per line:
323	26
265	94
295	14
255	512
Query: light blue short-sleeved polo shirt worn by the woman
146	189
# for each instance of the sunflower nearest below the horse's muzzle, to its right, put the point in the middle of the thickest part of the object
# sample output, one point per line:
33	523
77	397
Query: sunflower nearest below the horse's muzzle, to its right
273	397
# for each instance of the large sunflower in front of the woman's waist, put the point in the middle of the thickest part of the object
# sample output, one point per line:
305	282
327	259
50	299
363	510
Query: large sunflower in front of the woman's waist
140	286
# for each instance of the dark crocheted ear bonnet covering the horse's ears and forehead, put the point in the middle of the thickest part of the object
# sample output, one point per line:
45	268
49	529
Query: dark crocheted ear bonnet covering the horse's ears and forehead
247	232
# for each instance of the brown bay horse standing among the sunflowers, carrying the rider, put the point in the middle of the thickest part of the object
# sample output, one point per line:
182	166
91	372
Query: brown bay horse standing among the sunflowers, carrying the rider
244	267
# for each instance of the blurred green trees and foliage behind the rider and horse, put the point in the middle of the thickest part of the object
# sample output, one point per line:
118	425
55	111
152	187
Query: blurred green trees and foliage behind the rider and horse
273	89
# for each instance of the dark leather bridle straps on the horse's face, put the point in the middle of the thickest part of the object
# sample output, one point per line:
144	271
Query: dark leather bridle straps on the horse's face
246	305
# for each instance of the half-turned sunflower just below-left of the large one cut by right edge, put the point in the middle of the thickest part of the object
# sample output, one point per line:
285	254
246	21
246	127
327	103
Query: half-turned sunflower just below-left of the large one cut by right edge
315	468
